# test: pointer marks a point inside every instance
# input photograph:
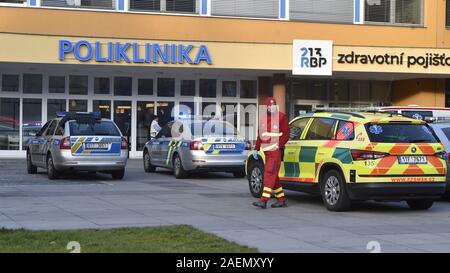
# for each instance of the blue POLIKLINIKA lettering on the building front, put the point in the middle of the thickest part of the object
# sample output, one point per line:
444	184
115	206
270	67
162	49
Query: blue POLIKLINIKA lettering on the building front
116	52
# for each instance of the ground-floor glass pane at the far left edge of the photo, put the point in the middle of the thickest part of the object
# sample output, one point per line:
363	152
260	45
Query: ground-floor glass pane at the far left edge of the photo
9	124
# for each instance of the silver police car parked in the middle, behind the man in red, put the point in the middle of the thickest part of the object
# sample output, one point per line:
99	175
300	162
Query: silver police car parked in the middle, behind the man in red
197	146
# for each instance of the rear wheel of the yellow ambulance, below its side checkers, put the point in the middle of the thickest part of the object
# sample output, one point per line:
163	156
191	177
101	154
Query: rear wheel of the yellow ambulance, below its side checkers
334	191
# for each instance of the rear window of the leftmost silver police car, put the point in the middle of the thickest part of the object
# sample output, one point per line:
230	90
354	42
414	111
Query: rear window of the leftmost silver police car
102	128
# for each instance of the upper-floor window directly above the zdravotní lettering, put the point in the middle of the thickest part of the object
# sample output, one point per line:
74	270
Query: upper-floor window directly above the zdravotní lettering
394	11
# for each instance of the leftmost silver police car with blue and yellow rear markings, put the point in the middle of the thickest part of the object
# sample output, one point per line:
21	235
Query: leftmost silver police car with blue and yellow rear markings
78	142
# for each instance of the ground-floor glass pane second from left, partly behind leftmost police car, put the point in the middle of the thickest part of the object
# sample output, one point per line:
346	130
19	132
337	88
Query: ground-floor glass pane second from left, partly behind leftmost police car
32	119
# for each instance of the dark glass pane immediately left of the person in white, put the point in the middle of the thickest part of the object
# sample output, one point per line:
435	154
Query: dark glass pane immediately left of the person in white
145	115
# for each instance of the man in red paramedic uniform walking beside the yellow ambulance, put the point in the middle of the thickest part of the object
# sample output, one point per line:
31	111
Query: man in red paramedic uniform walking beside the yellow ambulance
273	134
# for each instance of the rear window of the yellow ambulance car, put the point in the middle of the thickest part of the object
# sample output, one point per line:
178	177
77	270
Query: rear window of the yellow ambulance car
400	133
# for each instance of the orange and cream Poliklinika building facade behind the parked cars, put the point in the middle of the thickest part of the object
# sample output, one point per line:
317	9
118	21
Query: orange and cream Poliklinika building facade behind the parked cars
134	59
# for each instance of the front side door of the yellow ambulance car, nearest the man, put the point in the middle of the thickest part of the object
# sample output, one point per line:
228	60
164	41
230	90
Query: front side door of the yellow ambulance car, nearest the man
290	167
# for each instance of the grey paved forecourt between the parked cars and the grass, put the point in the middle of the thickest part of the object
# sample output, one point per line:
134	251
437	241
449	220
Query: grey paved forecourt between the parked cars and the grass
216	203
